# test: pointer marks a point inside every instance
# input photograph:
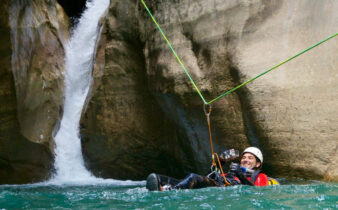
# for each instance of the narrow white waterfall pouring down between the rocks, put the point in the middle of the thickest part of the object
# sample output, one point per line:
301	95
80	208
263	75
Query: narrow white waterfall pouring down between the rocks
80	52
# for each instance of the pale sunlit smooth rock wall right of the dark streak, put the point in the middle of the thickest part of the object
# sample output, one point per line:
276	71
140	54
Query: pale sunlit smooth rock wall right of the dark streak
295	107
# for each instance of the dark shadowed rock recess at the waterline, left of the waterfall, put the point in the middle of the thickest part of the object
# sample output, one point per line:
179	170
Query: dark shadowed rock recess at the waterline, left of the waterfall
22	161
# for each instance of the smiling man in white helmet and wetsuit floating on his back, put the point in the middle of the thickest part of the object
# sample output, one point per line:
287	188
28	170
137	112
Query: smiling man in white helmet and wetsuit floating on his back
246	173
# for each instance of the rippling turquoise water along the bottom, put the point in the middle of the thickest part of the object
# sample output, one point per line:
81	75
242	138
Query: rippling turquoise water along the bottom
299	195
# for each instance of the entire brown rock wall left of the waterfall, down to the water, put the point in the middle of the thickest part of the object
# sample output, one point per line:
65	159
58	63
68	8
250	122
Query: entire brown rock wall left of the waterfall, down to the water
32	37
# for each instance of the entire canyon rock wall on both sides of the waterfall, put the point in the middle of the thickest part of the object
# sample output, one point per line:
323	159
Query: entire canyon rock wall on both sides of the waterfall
143	115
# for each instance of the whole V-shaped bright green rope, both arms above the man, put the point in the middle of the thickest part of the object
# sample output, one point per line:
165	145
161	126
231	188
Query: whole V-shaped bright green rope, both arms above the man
237	87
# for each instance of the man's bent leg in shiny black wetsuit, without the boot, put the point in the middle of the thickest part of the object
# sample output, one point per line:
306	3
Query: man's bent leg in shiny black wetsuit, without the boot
194	181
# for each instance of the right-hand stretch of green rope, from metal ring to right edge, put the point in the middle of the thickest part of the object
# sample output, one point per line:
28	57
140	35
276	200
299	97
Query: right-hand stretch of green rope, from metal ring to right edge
252	79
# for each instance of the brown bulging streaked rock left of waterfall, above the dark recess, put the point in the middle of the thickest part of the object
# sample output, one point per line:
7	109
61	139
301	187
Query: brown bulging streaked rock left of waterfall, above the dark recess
39	31
